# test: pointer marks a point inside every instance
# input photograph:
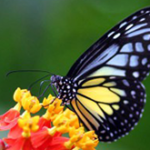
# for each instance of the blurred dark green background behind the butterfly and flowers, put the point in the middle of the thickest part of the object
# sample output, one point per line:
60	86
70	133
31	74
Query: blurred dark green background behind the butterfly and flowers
50	35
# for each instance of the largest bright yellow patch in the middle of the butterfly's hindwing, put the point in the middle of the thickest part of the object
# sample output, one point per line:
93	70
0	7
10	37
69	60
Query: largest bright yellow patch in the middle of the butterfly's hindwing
100	94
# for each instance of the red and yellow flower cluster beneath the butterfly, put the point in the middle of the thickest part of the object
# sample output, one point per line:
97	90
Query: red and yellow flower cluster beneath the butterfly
28	131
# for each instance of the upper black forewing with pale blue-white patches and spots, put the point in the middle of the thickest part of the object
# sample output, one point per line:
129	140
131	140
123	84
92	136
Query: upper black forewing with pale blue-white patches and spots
123	51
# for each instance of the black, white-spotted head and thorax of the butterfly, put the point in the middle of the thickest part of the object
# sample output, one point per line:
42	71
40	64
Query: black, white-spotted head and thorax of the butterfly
66	87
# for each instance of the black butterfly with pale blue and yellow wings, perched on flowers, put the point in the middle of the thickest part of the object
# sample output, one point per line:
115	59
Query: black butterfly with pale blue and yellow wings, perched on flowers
104	85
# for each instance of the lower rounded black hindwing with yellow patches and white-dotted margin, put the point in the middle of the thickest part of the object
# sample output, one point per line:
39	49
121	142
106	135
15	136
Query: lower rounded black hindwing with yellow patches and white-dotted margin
111	106
